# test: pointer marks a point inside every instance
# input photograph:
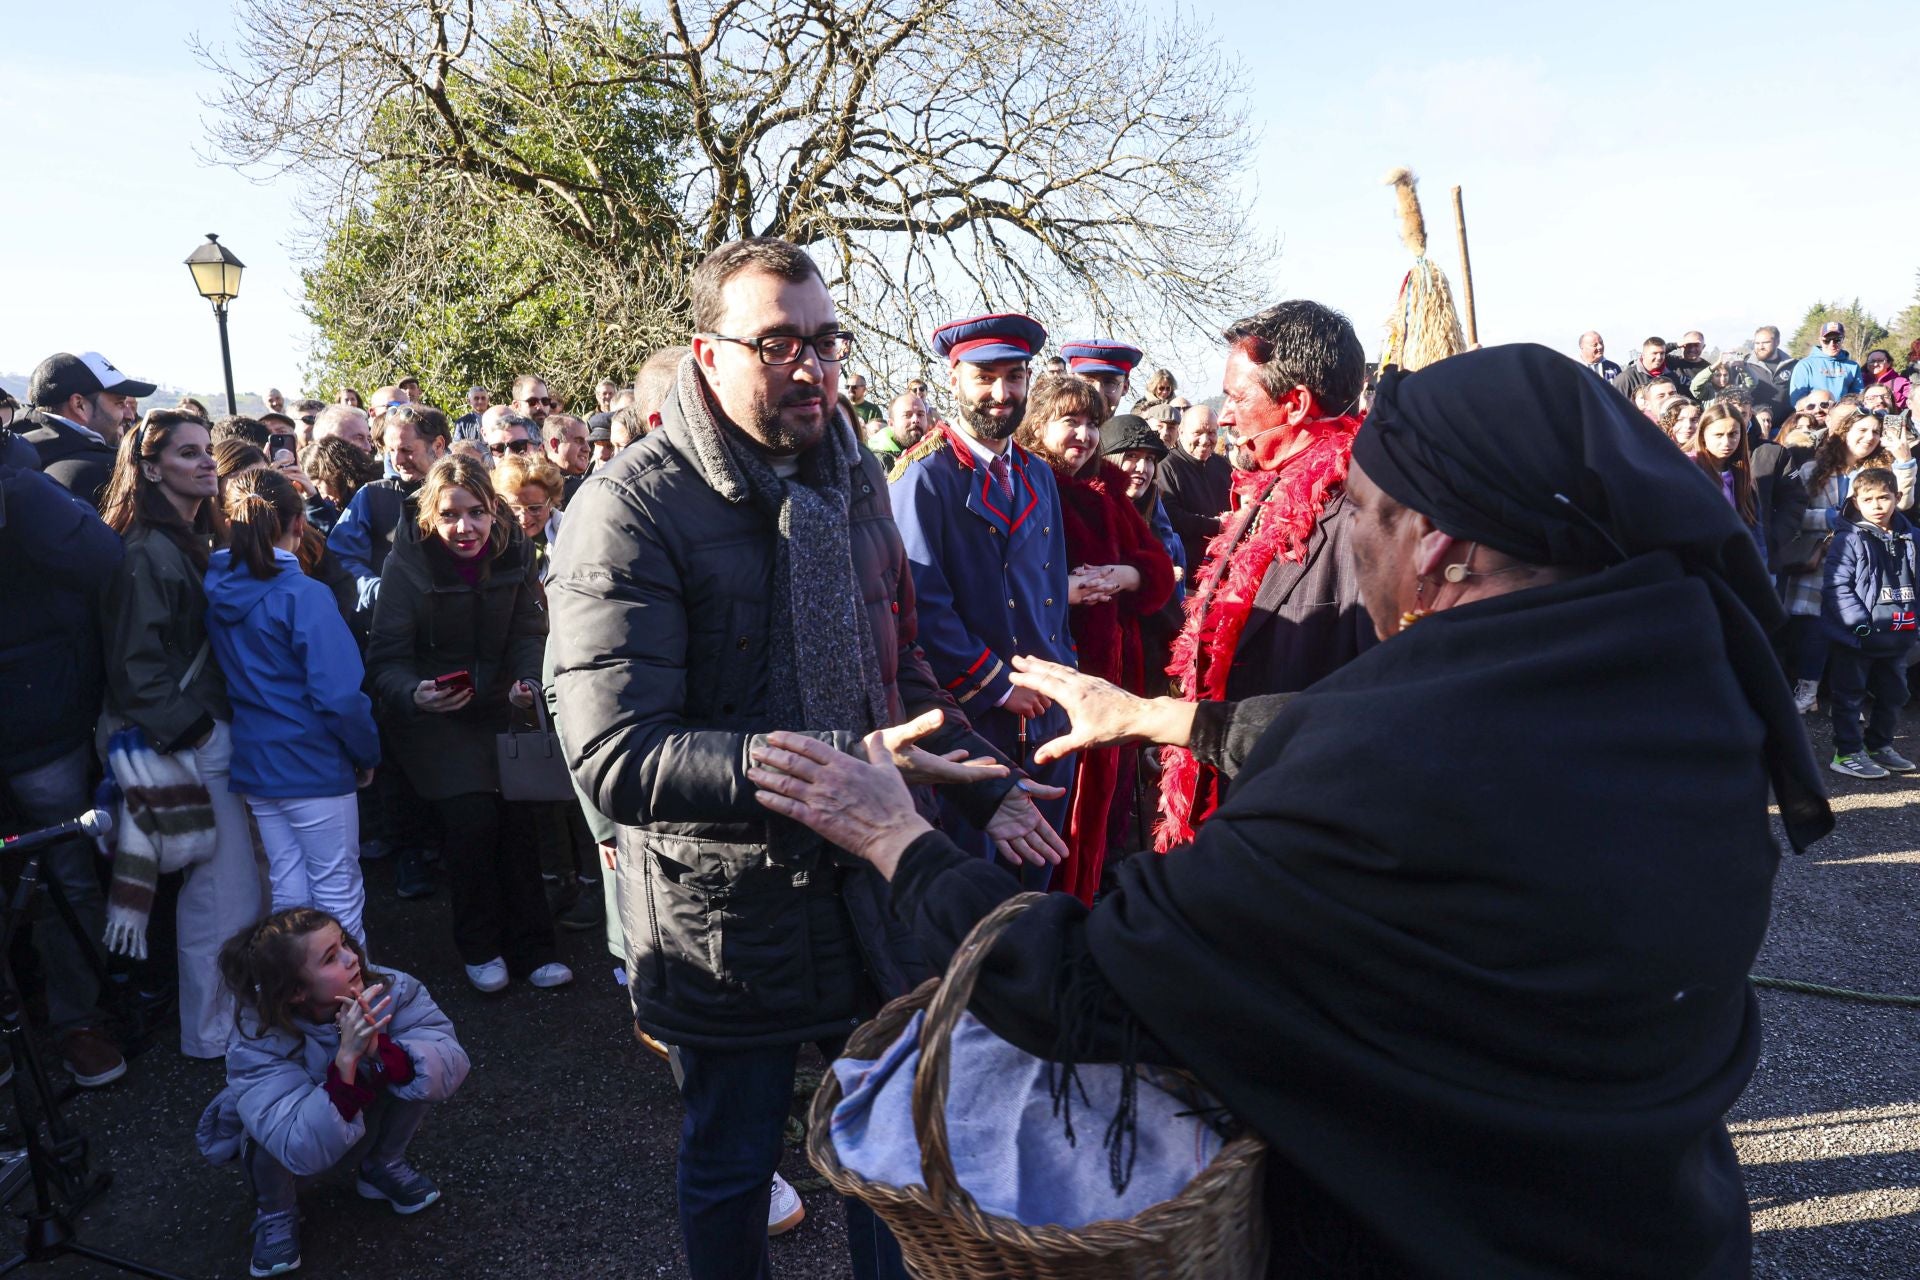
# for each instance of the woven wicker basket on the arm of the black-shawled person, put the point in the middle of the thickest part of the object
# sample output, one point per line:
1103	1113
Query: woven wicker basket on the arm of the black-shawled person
1216	1229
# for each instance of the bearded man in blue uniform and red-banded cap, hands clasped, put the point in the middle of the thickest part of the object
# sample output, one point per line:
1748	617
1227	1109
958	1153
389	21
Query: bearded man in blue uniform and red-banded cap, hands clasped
990	557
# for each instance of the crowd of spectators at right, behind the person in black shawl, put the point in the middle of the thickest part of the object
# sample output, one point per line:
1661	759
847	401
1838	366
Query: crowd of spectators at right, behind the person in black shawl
1804	448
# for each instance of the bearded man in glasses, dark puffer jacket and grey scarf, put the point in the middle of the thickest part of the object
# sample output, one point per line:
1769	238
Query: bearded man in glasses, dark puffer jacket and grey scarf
738	573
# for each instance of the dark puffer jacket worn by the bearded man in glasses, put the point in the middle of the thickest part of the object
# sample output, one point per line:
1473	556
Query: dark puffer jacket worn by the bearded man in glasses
663	611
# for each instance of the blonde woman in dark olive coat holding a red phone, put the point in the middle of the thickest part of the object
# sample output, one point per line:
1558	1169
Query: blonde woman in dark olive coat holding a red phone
458	638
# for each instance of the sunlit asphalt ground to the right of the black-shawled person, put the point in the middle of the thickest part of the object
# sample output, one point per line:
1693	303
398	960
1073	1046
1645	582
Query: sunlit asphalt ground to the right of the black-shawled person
1829	1131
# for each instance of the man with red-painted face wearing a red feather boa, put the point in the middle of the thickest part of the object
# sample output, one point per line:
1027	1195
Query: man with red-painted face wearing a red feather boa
1278	602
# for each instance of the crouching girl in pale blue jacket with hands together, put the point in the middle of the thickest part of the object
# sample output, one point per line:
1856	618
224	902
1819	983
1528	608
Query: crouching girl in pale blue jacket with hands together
329	1066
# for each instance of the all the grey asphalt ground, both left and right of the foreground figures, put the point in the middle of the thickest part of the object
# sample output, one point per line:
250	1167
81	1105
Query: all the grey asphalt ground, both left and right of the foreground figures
558	1158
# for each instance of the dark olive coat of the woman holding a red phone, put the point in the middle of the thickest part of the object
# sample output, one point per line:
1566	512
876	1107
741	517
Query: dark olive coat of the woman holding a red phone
429	623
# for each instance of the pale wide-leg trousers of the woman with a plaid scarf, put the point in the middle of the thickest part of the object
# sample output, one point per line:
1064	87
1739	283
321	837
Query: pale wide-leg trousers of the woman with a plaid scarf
220	897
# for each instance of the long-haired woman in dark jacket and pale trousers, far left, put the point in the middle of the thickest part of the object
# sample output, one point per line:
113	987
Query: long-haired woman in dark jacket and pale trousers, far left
166	684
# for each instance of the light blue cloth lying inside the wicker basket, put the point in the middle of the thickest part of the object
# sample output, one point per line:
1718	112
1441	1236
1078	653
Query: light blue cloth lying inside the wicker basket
1009	1147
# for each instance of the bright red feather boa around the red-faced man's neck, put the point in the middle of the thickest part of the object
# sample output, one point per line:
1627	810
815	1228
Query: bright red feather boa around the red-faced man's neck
1289	504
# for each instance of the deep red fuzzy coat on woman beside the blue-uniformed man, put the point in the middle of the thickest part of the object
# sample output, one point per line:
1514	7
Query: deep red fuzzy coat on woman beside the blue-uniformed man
1105	529
